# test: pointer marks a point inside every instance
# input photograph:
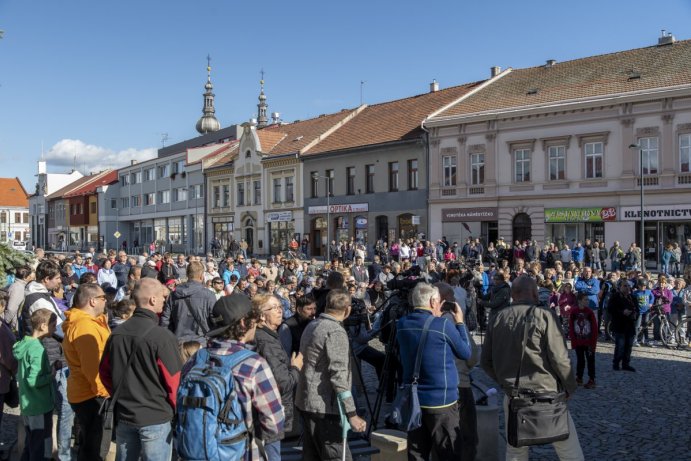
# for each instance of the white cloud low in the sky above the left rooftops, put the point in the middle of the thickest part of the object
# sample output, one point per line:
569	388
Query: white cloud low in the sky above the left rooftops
92	159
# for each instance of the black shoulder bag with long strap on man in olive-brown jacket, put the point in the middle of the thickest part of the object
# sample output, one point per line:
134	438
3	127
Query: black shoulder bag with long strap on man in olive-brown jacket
535	418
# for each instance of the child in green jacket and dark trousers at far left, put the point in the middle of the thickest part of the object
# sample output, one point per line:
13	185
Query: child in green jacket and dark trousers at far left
35	380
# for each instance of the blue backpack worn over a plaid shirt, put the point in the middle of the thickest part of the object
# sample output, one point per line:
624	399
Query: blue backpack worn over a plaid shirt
210	423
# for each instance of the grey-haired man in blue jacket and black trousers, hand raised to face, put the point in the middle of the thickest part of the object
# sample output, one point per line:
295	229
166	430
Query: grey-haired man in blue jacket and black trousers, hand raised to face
438	382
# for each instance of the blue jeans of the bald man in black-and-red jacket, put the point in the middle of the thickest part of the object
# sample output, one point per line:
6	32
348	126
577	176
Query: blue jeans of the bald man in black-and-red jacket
151	443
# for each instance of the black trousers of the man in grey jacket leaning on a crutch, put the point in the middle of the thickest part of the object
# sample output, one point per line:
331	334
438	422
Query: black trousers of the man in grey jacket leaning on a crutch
322	439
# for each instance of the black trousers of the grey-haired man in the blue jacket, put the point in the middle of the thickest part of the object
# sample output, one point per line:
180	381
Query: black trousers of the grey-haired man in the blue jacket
440	431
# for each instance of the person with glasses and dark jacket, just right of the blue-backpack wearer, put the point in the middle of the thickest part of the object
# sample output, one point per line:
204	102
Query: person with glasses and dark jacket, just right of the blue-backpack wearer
285	370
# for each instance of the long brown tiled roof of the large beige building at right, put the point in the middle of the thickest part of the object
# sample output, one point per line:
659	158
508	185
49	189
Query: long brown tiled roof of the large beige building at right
618	73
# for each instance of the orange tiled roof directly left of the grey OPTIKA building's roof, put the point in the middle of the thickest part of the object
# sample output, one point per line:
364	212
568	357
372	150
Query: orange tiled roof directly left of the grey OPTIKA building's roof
294	137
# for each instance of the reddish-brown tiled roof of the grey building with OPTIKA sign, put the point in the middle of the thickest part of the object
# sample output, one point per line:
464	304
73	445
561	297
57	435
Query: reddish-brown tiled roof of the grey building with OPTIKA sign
391	121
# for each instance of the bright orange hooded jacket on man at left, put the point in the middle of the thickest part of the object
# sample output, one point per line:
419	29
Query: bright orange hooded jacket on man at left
85	339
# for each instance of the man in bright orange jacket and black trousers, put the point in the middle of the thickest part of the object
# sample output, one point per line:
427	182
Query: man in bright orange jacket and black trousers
86	331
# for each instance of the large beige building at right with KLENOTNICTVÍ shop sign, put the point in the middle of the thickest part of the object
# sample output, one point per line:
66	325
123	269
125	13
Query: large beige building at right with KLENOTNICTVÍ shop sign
543	153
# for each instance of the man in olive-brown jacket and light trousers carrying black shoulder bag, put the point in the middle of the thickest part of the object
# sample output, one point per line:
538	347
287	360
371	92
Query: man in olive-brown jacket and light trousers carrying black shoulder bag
545	366
